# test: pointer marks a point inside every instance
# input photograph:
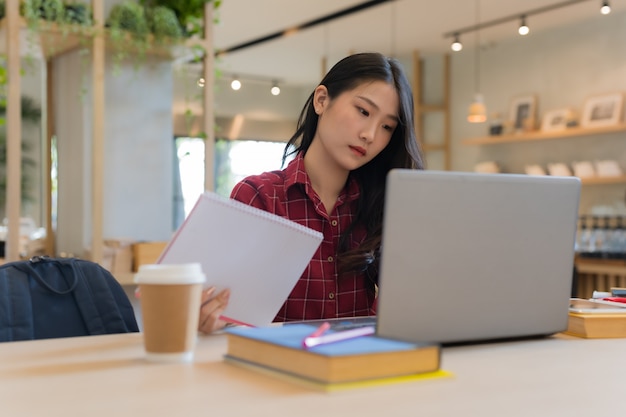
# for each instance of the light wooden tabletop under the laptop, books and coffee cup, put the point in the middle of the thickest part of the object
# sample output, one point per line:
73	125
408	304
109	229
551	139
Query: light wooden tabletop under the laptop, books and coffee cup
108	376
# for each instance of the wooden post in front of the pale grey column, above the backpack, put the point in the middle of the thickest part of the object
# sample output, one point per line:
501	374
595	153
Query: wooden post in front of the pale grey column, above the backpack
97	151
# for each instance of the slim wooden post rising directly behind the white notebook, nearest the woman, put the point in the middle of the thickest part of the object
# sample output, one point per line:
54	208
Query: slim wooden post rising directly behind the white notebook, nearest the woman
208	123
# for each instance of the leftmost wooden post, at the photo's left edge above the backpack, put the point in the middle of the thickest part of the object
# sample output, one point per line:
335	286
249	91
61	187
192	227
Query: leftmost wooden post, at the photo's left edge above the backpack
14	132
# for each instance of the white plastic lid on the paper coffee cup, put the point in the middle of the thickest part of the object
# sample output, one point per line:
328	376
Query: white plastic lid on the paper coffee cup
167	274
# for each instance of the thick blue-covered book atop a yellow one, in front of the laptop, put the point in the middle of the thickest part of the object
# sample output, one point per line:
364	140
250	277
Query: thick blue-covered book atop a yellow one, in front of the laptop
363	361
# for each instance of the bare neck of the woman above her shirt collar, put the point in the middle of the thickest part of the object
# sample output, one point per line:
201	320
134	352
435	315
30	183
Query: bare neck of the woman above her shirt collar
327	178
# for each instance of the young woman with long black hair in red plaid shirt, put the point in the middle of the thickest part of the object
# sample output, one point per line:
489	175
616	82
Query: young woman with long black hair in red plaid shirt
355	126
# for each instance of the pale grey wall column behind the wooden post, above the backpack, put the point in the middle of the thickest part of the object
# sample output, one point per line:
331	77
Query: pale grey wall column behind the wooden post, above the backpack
138	151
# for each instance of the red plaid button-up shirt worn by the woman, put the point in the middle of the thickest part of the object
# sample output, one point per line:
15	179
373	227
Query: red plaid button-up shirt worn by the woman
318	294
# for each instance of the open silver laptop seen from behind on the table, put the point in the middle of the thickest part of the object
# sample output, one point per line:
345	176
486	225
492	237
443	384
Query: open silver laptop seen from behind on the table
470	257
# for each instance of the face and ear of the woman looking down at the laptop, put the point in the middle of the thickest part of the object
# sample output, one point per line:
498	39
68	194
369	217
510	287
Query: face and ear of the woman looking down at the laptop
354	127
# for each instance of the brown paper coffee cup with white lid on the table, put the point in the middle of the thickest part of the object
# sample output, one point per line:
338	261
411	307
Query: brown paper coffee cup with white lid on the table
170	308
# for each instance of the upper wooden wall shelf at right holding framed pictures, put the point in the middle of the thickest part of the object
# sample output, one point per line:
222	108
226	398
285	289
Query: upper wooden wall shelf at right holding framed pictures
539	135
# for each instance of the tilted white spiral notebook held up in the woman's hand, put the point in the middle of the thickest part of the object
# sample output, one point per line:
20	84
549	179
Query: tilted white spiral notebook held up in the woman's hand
258	255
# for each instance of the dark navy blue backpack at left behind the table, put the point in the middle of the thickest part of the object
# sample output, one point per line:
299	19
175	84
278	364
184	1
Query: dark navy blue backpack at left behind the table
47	297
